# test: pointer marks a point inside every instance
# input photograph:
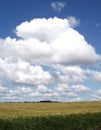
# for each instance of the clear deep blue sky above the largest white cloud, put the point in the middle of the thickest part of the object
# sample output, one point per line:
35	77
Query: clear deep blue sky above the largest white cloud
13	12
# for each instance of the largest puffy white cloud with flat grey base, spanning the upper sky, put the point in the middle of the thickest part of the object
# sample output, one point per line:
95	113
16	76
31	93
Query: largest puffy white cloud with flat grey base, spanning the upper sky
49	41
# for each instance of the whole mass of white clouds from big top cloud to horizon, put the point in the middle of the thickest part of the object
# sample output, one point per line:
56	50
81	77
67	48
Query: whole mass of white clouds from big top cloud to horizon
46	60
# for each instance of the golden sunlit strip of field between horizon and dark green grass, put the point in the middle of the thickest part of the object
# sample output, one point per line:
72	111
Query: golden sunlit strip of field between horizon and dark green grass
14	110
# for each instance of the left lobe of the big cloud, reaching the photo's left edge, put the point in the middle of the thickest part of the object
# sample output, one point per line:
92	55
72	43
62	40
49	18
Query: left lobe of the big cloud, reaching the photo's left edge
30	49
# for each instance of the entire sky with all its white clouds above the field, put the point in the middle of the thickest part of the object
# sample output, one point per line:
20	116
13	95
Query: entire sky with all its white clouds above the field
50	50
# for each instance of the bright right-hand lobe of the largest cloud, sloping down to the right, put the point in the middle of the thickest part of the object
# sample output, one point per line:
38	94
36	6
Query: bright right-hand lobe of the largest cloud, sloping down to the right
71	48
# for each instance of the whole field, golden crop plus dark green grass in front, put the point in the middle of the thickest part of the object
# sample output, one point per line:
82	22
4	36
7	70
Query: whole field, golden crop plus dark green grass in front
50	116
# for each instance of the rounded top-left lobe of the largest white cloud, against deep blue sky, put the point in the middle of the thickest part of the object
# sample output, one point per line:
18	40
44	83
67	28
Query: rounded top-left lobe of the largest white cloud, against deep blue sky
42	29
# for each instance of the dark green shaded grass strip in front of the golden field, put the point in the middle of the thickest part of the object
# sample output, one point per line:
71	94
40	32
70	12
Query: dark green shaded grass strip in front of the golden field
87	121
